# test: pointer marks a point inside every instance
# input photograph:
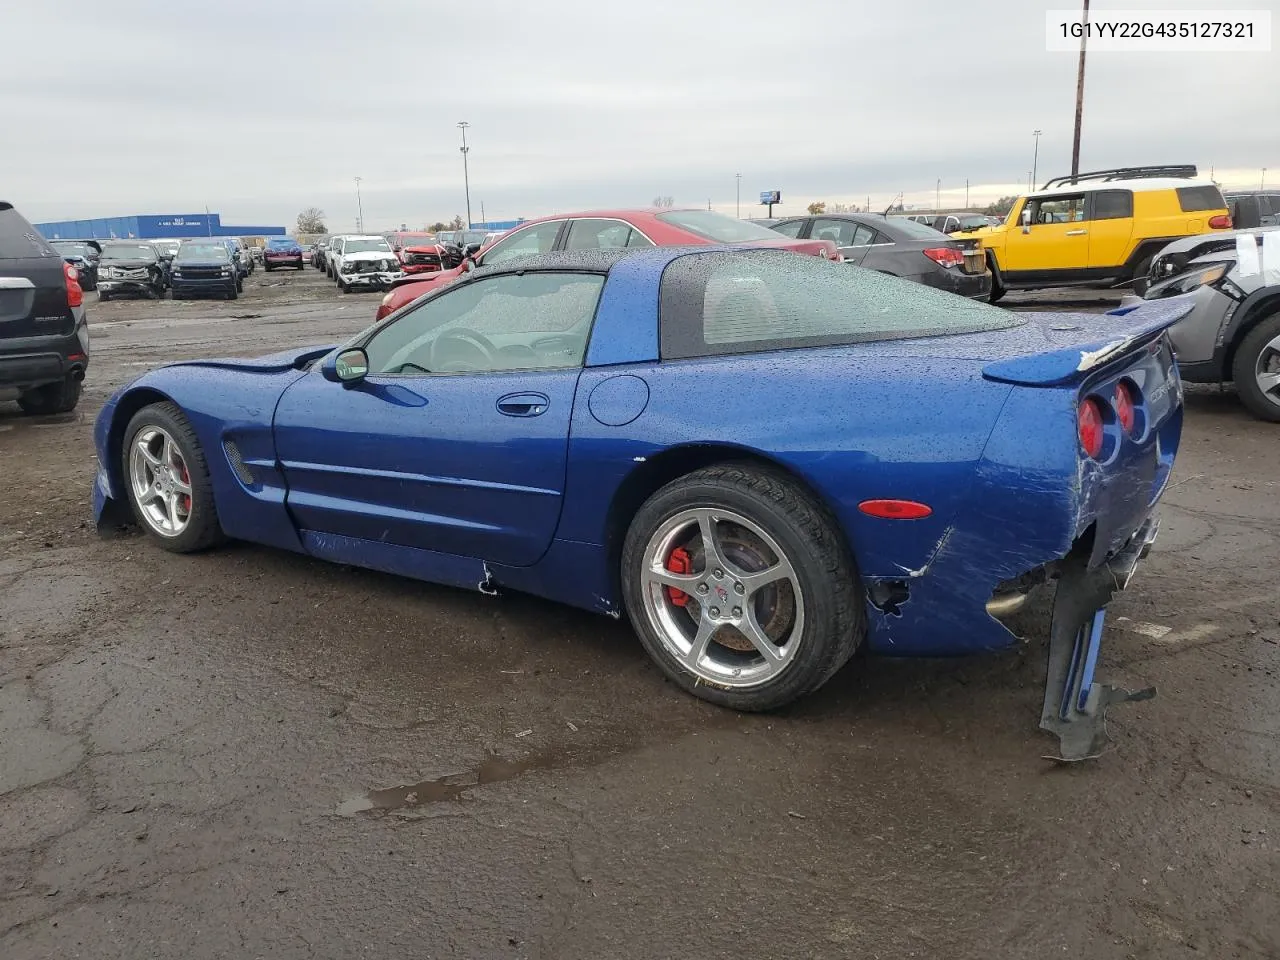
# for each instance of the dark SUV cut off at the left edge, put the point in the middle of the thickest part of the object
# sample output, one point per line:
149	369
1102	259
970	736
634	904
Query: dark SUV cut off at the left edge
44	336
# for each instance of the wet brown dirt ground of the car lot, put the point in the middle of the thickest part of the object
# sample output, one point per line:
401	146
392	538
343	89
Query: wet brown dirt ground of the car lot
252	755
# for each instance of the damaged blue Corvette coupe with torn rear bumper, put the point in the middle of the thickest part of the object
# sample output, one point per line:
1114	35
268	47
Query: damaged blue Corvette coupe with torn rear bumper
765	460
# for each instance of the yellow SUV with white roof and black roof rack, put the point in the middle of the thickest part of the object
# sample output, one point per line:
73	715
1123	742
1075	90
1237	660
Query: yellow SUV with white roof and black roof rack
1099	227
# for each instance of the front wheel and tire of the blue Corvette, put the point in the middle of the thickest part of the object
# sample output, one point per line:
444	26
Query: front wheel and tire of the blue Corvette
167	481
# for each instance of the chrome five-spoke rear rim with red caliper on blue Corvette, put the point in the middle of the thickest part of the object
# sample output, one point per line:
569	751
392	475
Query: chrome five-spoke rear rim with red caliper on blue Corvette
723	597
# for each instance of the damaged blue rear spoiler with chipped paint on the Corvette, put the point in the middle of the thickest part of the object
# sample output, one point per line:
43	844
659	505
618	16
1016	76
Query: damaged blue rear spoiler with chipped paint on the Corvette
1078	350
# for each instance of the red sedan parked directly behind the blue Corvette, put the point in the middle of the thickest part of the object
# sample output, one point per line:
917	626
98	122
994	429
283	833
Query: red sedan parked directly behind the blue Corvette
609	230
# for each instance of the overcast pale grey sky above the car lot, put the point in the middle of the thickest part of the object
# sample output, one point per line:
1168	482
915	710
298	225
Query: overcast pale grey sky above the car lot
259	109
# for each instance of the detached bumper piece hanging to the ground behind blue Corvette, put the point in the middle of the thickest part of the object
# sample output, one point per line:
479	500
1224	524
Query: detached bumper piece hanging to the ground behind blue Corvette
1076	705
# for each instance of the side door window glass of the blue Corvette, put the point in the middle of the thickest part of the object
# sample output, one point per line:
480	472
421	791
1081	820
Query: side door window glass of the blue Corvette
529	322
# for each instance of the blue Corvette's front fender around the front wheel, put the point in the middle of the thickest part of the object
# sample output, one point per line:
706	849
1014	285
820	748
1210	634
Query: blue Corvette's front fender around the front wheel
225	405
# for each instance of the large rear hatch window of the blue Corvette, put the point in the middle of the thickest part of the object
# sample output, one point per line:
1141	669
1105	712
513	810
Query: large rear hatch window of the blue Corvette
717	304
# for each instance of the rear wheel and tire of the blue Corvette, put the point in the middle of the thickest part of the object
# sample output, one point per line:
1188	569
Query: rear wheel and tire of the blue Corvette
742	588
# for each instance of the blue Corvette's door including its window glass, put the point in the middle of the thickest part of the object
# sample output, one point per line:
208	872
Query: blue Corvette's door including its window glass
456	440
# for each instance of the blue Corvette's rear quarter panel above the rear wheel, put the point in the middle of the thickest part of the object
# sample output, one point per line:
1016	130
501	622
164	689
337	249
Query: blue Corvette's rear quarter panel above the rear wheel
852	426
